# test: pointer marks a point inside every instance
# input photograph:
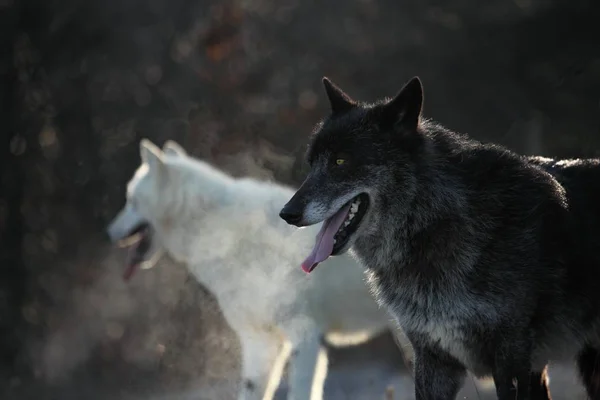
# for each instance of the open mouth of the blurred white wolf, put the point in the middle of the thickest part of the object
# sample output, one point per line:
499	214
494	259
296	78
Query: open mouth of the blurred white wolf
138	243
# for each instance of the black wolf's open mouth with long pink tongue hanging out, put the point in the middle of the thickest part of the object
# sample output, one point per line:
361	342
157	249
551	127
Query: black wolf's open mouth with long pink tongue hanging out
335	234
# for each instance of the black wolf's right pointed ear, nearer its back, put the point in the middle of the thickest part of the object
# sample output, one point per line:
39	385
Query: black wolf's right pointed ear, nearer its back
406	107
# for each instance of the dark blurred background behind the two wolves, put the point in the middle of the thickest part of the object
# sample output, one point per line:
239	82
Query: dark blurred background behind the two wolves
237	83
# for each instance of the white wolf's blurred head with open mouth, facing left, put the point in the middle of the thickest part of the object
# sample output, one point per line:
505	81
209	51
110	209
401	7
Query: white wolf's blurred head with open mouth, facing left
163	199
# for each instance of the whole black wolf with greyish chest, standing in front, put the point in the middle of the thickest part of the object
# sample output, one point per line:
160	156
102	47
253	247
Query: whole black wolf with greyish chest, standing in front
488	260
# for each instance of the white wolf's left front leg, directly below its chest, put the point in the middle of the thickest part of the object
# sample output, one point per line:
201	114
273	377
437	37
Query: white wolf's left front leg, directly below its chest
263	361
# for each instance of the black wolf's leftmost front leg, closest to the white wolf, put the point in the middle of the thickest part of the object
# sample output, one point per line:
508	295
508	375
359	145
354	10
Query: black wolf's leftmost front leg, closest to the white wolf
438	375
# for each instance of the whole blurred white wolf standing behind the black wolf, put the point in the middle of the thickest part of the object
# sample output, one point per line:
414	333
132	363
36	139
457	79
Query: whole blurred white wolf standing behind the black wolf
228	232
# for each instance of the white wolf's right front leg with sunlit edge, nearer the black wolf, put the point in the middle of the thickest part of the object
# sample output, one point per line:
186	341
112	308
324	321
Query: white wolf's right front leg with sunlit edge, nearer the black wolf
308	368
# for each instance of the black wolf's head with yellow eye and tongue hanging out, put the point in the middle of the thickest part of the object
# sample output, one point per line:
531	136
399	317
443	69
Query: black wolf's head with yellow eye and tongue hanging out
361	157
